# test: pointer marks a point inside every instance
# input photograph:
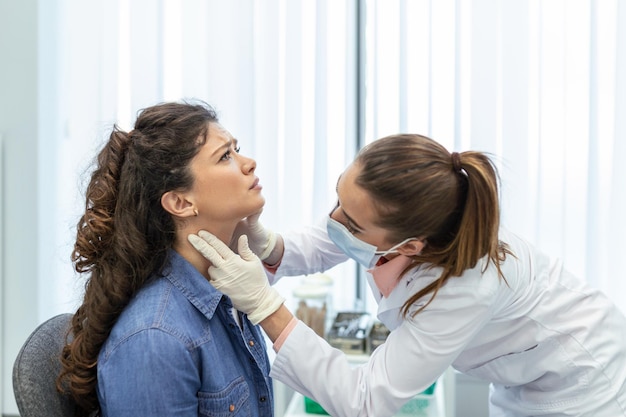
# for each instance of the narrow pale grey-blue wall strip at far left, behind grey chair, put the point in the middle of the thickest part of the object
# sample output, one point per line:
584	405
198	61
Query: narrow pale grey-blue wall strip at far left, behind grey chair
19	128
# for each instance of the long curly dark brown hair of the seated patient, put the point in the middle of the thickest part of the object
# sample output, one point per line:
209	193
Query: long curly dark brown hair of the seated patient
124	235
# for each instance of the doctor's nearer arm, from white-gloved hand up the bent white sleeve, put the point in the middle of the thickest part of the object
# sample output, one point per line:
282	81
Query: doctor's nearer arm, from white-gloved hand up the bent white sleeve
379	387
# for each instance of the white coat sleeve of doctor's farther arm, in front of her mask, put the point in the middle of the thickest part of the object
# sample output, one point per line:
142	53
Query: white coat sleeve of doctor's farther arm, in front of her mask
308	251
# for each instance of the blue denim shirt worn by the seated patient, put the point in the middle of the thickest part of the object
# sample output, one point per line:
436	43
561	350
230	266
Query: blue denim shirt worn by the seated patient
177	350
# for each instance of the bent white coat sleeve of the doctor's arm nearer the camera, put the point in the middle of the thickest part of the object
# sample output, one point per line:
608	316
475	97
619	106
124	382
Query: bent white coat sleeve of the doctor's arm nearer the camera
412	358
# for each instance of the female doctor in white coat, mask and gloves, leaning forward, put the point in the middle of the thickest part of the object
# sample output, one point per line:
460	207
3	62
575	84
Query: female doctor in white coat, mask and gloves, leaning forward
454	288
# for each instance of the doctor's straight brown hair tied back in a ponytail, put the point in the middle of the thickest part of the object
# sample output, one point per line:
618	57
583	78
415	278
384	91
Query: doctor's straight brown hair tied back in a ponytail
450	200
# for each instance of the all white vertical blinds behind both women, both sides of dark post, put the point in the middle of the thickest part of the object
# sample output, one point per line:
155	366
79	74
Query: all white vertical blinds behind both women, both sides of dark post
539	85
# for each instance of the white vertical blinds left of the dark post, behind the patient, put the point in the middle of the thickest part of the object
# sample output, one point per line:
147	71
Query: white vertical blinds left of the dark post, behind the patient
280	73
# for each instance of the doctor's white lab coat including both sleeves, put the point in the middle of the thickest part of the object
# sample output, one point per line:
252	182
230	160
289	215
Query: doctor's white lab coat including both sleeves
548	343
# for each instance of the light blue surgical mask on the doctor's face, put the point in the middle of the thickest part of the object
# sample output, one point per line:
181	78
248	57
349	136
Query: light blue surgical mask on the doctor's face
365	254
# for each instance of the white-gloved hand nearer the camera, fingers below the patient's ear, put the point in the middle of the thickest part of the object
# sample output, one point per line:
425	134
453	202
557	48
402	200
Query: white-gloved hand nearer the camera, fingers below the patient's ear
241	277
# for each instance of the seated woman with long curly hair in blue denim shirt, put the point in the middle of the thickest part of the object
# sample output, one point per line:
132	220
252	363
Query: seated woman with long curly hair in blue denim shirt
152	336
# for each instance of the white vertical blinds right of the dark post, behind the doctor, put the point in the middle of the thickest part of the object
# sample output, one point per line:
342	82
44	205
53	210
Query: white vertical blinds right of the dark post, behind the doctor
538	84
